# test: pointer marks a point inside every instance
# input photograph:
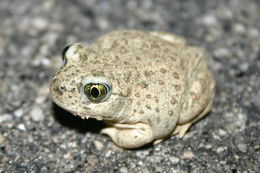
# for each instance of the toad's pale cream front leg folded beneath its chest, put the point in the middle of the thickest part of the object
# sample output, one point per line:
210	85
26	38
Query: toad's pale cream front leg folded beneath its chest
130	135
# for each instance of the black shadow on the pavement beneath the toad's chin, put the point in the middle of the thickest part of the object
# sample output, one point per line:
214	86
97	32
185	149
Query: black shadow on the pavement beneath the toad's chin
73	122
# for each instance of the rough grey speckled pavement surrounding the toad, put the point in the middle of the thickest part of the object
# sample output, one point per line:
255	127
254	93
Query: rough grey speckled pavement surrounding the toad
37	136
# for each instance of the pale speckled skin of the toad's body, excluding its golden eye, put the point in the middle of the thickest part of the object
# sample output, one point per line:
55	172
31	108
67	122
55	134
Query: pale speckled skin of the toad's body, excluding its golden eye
160	86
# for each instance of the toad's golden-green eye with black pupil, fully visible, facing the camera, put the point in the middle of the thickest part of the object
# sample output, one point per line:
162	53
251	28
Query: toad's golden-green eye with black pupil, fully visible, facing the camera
97	92
